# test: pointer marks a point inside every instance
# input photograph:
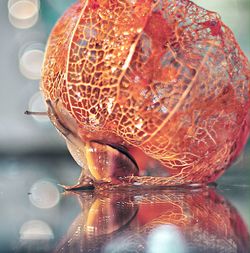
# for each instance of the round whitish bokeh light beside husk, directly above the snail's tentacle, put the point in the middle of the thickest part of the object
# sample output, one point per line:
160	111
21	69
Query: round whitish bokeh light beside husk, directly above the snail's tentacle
31	60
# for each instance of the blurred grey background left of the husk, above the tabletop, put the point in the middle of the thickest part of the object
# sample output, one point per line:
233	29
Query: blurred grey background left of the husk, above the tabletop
25	26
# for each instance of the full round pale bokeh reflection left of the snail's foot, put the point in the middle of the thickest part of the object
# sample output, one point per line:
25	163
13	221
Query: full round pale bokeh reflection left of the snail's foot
44	194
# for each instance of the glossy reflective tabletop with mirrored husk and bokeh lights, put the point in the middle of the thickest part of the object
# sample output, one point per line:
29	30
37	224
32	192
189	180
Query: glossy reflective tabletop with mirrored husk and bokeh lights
38	216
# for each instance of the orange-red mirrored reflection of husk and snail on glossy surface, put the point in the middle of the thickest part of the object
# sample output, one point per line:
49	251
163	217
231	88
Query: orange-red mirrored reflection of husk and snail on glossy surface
207	222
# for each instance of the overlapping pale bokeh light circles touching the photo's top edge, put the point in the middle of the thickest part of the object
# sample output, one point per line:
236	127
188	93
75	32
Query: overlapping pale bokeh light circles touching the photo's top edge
23	14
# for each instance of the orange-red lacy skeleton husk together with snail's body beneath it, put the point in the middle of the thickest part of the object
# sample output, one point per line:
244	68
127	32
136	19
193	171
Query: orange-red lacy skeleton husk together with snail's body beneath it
157	84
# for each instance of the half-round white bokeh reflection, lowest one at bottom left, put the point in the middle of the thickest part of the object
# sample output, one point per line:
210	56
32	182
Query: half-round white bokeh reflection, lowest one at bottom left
36	230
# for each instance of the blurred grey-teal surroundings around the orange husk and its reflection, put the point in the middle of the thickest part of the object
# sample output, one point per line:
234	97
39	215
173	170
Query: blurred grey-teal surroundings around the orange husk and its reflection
33	157
